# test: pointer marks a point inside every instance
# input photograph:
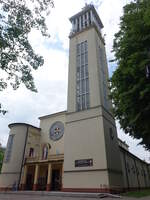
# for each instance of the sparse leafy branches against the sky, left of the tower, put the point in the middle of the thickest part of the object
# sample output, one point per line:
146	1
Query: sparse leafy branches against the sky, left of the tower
17	57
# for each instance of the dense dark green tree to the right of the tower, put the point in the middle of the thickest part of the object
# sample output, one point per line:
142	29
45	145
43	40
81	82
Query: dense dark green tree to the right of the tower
130	83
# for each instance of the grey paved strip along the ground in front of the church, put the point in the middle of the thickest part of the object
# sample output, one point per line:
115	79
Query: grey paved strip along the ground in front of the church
19	196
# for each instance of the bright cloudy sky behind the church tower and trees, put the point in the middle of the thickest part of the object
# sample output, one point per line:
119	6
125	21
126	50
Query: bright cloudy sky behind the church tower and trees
51	79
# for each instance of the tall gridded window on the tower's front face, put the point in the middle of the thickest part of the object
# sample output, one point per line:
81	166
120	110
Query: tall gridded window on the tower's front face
82	77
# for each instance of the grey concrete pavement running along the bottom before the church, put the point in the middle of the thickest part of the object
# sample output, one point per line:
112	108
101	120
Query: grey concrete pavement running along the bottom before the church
60	196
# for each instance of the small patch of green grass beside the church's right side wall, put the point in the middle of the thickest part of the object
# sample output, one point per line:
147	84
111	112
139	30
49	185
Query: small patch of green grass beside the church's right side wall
138	194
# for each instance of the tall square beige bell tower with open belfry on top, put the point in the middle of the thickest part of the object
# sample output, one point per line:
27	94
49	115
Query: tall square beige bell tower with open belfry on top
92	160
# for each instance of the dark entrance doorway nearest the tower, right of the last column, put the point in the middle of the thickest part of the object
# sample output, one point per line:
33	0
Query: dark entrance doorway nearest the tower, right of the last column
56	180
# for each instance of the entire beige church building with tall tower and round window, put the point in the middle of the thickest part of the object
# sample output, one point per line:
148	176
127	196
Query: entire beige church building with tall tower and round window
77	149
